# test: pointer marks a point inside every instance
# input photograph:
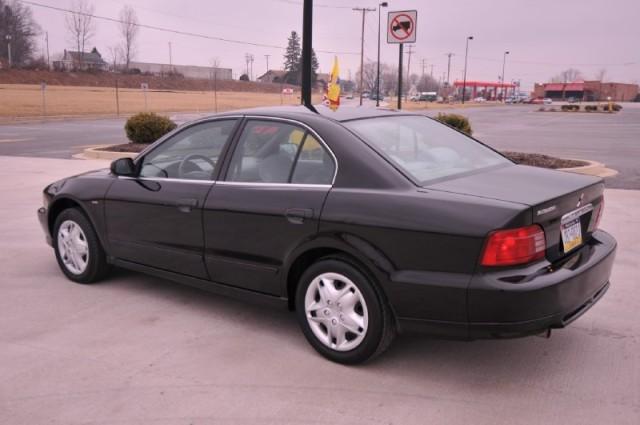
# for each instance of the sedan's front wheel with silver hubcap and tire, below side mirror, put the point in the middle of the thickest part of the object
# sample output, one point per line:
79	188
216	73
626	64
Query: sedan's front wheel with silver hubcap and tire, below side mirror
78	250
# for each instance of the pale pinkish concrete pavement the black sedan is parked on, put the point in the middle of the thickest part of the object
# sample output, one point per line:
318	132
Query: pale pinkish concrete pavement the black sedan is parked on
139	350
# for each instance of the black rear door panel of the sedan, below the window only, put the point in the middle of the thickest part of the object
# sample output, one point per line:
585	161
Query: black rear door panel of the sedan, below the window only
250	230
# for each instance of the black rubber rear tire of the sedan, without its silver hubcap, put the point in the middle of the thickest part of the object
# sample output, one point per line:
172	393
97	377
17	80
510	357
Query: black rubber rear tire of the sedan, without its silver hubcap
381	328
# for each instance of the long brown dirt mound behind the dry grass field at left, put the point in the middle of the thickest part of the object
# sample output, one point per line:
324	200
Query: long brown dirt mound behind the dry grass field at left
108	79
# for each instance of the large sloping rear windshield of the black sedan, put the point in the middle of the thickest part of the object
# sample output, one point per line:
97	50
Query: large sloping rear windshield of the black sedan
424	148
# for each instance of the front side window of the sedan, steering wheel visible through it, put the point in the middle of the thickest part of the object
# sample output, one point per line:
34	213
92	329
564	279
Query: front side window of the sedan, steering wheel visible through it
191	154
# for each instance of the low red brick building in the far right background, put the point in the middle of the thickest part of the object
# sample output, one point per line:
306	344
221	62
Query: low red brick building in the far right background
587	91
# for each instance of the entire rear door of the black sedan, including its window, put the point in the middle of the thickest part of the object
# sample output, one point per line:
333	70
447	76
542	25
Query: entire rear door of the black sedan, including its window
254	219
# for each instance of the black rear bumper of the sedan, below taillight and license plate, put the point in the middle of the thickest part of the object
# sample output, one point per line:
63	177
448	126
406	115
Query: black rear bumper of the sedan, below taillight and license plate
526	301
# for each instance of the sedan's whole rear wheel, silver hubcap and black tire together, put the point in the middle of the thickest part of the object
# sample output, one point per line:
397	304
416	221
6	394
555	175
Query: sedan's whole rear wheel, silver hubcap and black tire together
341	313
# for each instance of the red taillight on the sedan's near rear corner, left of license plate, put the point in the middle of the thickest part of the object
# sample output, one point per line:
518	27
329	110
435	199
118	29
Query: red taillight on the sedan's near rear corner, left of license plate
514	246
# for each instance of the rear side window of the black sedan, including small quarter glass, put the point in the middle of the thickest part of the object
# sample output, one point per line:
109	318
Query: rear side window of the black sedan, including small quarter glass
279	152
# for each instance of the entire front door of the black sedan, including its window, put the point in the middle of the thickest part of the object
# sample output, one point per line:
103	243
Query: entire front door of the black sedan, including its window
155	219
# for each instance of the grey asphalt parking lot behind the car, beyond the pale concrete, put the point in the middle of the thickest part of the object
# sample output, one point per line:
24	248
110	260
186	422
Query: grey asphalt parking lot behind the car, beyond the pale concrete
610	139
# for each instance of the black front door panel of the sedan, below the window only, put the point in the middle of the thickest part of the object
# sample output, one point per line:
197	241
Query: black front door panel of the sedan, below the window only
158	223
